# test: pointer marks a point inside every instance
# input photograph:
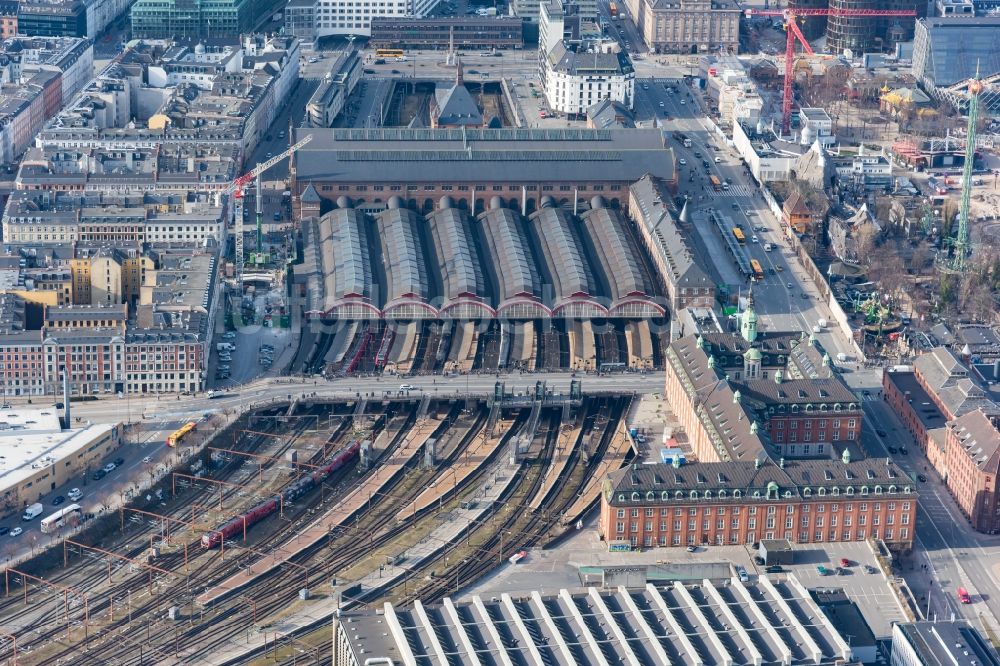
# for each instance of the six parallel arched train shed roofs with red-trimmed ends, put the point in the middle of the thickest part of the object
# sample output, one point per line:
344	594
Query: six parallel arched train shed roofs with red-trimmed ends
448	264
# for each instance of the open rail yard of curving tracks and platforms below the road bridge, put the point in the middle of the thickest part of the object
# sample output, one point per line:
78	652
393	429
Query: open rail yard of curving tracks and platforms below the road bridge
253	542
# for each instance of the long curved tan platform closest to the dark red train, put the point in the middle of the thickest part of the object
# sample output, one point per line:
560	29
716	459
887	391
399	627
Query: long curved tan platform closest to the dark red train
335	517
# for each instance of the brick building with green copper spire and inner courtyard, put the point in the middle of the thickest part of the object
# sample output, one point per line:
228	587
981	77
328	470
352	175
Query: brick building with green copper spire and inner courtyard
770	392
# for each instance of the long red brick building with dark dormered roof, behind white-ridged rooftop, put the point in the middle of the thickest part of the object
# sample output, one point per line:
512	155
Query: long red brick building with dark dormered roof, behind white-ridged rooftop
742	502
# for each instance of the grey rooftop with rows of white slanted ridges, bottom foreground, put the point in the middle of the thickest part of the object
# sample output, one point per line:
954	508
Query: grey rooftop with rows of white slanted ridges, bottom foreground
709	622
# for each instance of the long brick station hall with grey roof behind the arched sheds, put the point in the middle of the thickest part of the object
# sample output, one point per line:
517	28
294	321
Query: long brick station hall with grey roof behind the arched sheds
472	166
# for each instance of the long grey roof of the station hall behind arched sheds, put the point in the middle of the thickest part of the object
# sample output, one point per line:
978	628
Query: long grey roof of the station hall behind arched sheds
405	155
